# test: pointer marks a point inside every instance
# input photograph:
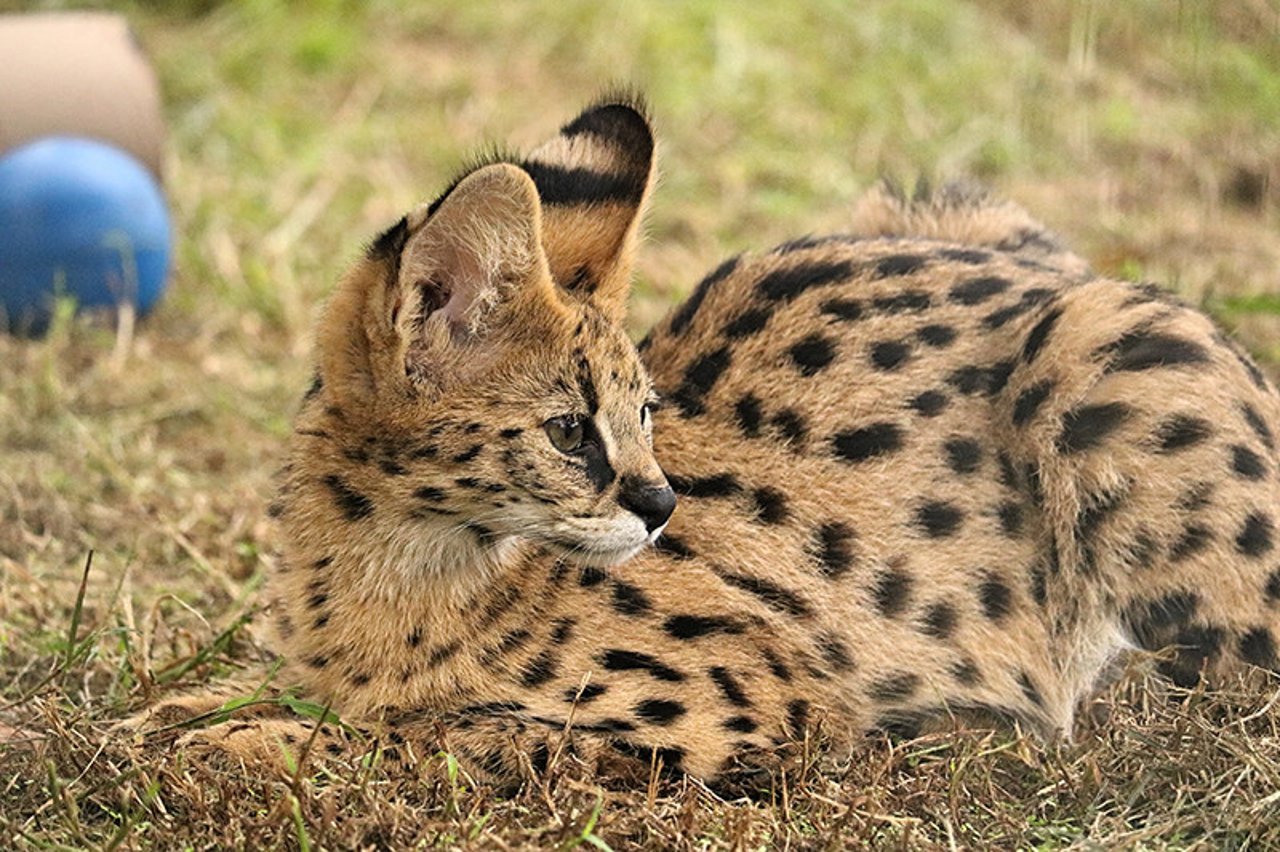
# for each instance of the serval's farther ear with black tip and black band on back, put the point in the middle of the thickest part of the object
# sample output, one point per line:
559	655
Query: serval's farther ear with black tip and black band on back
595	181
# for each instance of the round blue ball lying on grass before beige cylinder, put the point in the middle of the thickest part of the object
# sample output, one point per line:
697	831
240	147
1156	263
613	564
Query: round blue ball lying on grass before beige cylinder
83	219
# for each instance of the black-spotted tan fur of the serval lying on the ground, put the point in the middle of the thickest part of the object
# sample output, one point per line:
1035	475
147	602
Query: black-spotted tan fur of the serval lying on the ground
932	470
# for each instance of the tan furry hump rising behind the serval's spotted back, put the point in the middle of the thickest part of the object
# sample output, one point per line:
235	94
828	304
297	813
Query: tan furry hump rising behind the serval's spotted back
964	213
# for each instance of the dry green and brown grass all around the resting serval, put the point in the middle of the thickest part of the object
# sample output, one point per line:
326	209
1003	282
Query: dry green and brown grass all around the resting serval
1148	132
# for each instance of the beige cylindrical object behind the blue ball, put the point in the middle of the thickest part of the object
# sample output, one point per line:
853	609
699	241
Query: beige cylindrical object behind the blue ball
79	75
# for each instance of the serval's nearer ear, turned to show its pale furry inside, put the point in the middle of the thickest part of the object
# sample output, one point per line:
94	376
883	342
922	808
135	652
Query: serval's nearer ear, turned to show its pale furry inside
441	292
